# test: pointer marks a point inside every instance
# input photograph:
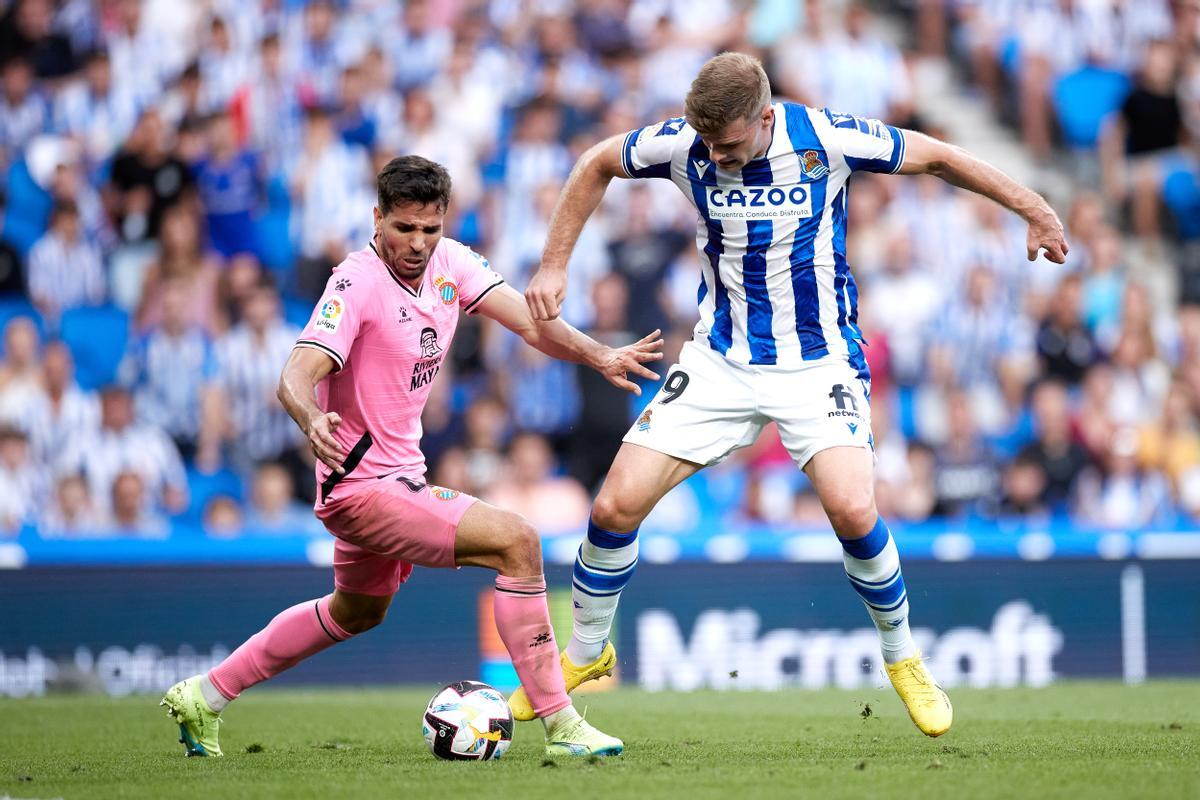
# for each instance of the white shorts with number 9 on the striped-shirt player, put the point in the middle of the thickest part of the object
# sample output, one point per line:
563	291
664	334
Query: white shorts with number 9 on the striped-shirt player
710	407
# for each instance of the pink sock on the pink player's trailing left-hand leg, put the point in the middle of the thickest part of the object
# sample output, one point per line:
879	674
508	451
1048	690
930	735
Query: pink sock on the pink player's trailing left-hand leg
290	639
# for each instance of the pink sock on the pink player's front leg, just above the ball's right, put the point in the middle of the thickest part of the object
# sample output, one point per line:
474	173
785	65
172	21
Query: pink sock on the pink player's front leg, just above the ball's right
523	619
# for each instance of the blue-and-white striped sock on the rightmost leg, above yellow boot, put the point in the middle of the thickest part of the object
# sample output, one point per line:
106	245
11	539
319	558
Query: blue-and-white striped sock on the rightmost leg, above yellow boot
873	566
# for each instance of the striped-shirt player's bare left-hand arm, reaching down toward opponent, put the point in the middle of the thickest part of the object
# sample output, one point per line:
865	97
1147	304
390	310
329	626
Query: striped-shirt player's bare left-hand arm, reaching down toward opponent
581	196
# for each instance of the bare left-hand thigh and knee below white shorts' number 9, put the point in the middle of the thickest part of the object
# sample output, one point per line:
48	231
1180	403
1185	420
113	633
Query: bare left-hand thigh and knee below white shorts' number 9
637	482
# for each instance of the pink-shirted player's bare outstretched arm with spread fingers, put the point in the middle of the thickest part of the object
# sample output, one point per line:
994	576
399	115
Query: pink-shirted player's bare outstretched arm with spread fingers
560	341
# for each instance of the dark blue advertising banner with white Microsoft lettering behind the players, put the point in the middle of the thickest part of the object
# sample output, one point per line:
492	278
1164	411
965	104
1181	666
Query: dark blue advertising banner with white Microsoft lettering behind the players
682	627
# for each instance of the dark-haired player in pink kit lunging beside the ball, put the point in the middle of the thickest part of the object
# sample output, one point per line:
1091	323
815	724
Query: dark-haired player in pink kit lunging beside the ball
356	383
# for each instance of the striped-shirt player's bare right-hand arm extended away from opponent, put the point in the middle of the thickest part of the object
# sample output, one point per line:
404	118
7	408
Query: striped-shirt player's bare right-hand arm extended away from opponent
956	166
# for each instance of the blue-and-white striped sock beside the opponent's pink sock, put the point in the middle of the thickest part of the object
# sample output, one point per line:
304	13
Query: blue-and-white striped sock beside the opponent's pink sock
603	567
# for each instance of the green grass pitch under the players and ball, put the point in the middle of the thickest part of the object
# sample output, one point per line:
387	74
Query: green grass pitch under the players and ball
1072	741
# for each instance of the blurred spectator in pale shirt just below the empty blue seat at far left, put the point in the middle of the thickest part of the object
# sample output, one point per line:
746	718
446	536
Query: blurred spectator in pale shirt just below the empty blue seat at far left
121	446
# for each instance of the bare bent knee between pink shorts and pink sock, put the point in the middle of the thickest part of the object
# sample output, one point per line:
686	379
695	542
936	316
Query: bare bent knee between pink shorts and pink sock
499	540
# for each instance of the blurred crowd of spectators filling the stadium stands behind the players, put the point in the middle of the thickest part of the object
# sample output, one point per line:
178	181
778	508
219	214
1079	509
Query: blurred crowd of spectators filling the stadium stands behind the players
178	179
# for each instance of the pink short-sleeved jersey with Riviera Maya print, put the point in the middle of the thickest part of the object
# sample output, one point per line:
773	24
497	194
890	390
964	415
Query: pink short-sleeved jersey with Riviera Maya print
388	344
